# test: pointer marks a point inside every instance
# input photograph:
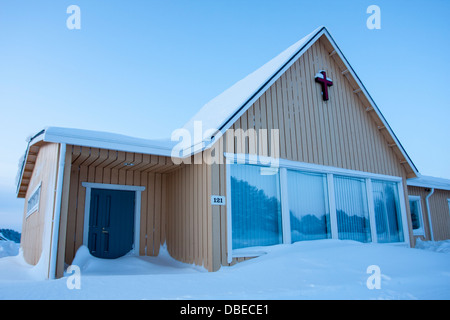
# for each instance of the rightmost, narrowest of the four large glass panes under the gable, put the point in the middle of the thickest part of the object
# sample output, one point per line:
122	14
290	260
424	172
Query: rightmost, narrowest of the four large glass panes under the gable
387	211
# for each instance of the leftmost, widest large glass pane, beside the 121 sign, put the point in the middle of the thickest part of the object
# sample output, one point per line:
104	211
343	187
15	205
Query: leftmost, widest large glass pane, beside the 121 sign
256	206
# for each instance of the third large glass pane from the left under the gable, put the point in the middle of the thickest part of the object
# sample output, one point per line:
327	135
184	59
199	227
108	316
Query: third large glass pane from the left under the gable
352	212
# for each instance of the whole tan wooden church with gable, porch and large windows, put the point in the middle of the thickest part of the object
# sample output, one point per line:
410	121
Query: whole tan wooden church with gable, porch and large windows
340	173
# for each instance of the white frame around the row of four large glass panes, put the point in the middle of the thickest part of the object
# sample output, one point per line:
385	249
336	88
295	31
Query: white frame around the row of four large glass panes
283	165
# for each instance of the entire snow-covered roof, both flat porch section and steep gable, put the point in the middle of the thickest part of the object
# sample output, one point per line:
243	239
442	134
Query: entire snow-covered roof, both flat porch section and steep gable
219	113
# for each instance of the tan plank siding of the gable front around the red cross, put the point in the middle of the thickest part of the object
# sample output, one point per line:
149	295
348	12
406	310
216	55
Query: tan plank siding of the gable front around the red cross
340	132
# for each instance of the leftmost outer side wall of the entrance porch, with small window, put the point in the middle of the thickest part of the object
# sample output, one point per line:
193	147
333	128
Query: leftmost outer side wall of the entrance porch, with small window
38	224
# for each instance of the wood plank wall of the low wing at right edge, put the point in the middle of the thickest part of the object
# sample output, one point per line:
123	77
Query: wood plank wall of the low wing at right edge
440	214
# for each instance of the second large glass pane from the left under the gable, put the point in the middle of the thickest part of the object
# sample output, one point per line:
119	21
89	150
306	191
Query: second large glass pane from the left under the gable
308	206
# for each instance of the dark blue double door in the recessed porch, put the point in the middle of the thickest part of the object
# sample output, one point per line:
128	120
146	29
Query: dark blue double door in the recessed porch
111	223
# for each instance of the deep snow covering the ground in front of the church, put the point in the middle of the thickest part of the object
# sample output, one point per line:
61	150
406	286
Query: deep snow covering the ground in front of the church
324	269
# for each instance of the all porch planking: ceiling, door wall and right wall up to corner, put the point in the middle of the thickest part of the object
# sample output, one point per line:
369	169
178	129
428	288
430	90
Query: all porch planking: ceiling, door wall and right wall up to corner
175	207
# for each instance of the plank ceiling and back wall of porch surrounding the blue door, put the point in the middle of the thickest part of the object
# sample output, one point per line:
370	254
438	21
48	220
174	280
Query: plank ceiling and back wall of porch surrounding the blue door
109	167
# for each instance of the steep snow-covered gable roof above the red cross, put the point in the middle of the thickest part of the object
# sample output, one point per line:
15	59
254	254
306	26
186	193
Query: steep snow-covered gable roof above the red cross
221	112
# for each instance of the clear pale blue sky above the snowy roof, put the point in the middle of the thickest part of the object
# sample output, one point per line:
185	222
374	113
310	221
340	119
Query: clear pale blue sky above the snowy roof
143	68
